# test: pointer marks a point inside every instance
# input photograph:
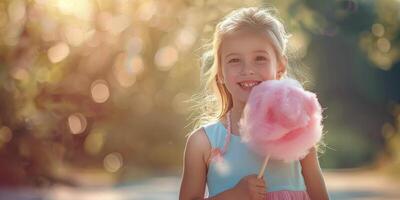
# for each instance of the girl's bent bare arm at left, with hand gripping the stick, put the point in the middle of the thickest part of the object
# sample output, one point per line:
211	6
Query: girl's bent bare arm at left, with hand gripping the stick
197	152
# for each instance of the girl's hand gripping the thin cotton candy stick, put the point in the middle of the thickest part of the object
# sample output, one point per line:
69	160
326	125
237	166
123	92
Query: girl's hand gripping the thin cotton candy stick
251	188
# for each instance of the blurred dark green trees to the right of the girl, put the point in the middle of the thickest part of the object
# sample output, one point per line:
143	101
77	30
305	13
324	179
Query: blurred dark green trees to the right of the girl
356	72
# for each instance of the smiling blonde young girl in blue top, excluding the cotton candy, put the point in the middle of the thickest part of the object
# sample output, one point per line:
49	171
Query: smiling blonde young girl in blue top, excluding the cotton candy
249	47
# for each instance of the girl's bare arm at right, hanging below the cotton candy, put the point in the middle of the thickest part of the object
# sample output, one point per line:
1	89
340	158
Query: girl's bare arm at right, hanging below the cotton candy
313	178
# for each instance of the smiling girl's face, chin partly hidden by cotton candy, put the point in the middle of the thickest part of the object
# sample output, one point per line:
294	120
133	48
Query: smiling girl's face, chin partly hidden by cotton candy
247	58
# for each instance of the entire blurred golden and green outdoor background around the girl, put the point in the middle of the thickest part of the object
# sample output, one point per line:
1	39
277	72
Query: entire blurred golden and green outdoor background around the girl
97	92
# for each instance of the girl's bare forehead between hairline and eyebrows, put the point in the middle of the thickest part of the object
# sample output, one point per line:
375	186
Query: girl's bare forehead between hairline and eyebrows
242	42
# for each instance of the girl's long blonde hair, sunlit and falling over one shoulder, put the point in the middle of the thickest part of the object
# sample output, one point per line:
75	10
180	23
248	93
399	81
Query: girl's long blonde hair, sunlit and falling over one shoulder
215	100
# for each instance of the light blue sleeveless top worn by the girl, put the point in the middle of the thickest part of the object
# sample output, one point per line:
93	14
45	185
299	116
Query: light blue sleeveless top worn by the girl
240	161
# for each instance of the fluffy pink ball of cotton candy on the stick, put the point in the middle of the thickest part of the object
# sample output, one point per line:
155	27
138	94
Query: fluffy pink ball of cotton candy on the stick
281	120
